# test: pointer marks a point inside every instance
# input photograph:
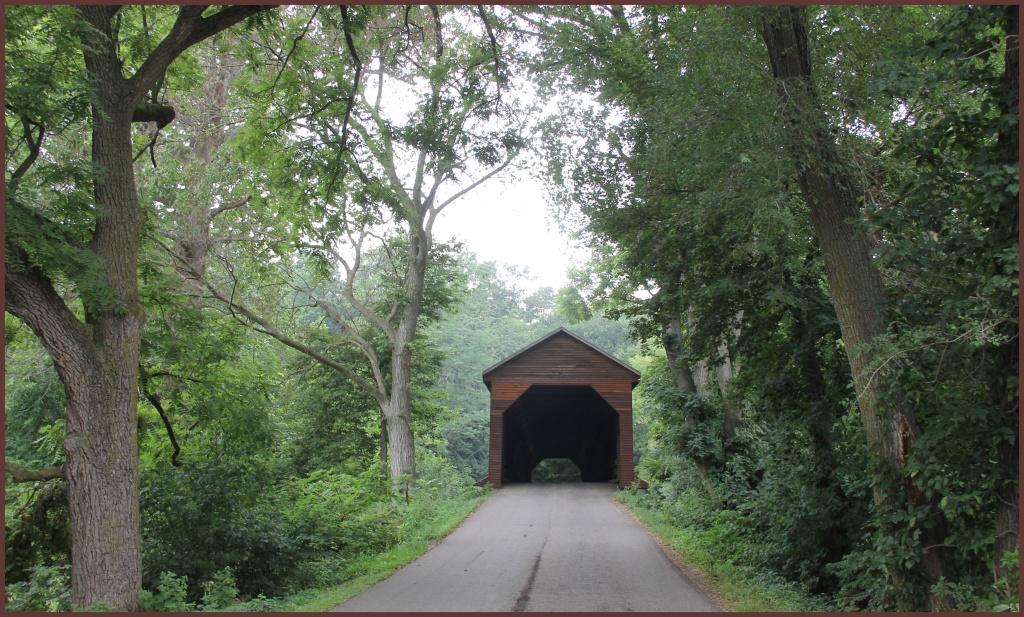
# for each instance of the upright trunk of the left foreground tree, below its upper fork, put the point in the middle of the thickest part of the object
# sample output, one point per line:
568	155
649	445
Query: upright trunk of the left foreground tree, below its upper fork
102	446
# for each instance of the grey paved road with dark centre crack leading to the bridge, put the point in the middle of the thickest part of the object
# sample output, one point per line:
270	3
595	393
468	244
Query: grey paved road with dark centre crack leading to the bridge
541	548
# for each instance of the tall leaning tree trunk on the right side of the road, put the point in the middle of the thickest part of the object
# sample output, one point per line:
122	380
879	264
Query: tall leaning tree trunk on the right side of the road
856	284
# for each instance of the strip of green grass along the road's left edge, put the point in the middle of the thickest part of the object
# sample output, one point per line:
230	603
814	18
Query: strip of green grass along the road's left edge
371	569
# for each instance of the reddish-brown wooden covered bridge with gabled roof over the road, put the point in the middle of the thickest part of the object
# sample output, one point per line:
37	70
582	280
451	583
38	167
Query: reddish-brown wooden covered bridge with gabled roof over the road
562	399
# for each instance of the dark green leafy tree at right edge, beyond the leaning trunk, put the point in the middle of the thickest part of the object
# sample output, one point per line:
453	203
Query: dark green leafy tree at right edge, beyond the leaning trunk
956	104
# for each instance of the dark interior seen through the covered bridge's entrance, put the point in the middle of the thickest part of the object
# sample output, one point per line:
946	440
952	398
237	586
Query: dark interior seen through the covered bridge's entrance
561	422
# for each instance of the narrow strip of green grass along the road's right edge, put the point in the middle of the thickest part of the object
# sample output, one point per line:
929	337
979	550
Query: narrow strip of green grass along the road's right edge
740	589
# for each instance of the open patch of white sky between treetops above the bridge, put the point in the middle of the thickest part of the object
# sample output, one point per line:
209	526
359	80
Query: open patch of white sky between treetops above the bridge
507	222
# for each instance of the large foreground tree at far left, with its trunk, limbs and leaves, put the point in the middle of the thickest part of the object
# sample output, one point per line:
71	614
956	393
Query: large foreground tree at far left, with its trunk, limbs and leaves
97	351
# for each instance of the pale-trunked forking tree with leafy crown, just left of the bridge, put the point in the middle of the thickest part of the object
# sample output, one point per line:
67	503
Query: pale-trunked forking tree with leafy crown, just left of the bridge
363	201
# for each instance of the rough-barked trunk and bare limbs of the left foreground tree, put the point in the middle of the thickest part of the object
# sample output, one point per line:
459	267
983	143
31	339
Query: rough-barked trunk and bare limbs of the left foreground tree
98	360
